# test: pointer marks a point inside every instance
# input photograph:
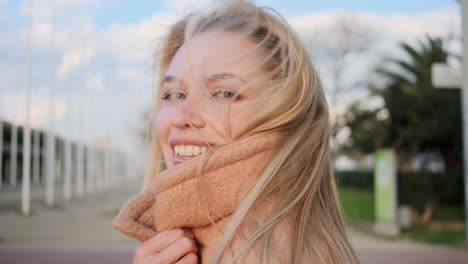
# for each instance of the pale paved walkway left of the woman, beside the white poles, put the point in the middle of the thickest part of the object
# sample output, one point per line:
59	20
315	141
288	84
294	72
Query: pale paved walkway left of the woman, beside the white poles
82	223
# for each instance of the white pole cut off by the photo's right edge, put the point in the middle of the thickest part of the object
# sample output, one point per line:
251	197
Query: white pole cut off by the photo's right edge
464	98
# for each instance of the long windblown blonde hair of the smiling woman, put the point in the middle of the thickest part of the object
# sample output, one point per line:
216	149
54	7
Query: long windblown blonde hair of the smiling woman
300	176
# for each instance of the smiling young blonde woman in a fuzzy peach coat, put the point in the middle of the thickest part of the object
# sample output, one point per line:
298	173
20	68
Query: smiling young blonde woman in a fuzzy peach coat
241	170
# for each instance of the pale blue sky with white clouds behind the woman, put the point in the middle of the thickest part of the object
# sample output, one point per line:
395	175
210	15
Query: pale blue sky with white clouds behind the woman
100	52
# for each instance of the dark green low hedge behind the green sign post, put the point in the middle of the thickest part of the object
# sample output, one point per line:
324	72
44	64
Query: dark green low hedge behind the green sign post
414	188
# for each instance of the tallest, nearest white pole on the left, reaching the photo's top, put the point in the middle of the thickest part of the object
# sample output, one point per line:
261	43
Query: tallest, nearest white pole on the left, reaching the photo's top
50	177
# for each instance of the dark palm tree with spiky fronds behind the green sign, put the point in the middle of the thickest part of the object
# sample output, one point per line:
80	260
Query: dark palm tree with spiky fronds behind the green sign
421	118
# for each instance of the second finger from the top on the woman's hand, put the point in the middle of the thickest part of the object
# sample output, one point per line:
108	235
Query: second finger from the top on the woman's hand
176	250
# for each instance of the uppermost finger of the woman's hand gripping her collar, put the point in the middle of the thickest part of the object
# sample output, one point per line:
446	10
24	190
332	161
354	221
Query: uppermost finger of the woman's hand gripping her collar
158	243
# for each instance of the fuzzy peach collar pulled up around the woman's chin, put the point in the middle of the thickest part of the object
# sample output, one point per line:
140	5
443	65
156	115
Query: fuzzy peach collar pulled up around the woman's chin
182	197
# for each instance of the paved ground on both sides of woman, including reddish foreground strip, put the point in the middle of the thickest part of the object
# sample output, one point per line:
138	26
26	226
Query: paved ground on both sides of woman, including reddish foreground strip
81	232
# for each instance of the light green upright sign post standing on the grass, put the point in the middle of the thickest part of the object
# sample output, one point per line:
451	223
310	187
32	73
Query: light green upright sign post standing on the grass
385	191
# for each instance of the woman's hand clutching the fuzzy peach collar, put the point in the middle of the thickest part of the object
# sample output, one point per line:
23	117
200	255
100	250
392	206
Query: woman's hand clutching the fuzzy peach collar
168	247
